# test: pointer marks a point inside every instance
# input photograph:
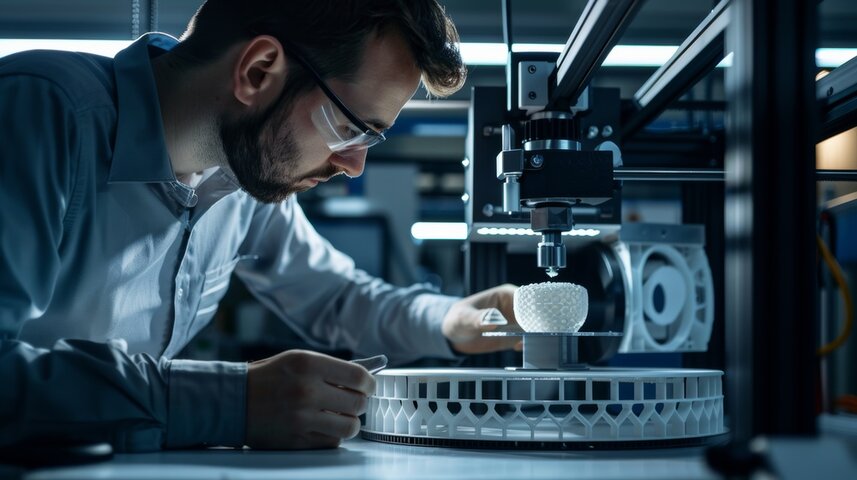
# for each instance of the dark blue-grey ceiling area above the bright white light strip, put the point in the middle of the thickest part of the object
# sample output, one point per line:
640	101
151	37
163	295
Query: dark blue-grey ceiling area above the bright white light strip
536	21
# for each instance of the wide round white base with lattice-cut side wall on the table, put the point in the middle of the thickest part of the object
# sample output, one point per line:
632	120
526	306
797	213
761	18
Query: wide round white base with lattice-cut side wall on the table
561	407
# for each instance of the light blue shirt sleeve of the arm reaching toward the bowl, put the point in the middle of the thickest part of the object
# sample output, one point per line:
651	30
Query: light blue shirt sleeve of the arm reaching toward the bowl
318	291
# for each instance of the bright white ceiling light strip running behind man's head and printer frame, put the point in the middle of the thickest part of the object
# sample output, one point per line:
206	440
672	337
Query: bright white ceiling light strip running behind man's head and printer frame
472	53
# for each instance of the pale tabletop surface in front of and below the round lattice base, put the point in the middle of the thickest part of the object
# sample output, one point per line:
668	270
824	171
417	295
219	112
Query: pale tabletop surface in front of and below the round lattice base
357	459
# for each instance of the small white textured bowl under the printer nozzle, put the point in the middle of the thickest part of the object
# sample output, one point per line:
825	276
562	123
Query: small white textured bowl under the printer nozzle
551	307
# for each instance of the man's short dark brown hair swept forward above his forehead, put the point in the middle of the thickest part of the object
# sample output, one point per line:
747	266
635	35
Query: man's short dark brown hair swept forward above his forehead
331	34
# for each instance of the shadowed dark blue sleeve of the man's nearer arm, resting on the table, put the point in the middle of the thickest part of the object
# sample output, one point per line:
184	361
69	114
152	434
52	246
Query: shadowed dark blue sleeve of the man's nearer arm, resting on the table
77	389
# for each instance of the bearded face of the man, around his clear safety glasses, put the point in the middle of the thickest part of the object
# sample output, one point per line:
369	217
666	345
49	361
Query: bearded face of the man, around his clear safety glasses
279	151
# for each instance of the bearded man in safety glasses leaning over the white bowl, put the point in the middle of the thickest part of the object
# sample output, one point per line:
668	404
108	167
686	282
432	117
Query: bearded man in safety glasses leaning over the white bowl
121	221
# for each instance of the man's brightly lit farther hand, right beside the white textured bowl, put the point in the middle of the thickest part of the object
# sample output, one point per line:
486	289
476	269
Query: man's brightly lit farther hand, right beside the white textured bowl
463	324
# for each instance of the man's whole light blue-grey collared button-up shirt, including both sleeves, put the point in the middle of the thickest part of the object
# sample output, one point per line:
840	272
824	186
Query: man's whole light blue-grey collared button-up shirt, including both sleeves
109	266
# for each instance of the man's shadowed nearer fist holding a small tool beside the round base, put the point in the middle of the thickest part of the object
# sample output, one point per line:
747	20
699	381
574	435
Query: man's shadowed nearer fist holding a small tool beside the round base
300	399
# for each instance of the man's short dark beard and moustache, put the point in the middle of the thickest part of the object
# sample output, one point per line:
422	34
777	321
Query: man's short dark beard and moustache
264	157
